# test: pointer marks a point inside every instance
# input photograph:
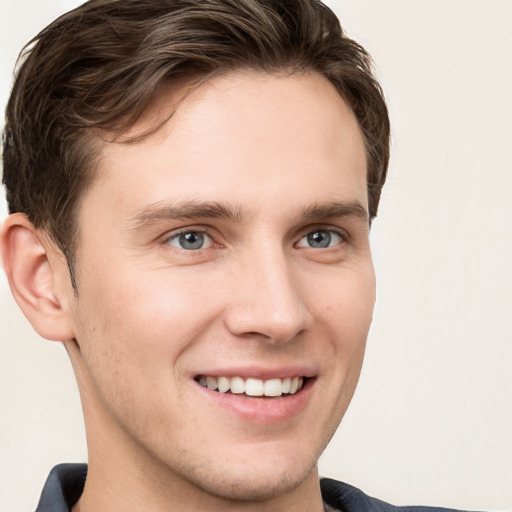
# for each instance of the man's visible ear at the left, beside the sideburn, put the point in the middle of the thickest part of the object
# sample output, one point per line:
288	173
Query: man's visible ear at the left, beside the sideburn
33	267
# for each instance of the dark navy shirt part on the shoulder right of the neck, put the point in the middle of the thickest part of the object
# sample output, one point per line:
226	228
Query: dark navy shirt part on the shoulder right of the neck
347	498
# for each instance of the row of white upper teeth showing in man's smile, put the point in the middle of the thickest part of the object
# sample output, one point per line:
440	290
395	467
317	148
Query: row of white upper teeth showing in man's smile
253	387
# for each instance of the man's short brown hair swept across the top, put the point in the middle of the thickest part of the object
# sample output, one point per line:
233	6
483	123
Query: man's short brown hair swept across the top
98	67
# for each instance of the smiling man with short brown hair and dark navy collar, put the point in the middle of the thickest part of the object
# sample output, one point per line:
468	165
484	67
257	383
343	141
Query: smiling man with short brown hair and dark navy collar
191	186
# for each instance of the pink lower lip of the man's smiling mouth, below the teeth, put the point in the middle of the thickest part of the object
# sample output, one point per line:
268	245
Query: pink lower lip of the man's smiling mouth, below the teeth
262	410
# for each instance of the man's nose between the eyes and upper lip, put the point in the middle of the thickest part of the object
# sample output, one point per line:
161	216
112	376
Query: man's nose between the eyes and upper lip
266	300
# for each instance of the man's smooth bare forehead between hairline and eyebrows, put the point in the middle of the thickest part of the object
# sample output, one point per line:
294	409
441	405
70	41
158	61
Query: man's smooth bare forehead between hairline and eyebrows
240	137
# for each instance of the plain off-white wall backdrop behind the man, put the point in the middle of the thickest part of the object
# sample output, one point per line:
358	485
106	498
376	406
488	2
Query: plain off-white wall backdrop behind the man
431	422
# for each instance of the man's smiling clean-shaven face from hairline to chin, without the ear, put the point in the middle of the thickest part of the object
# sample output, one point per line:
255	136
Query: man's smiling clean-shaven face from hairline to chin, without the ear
232	247
